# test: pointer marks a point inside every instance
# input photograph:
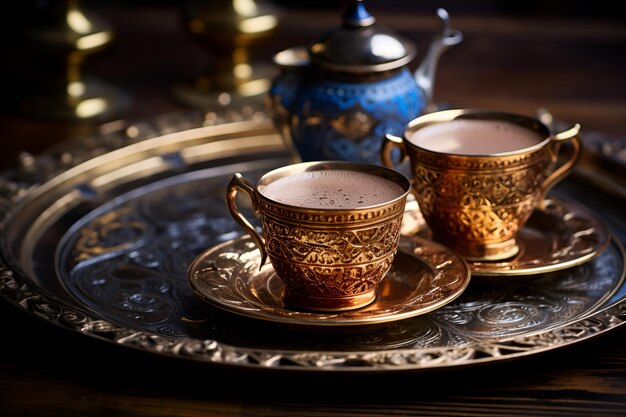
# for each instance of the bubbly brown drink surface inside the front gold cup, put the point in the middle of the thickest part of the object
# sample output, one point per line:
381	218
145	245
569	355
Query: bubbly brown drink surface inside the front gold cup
332	189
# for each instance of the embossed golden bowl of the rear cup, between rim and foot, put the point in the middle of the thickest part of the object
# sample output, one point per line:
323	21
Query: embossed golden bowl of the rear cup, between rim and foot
478	207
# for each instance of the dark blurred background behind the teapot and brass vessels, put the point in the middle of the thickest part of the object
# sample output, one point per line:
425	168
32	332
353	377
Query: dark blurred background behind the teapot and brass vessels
532	49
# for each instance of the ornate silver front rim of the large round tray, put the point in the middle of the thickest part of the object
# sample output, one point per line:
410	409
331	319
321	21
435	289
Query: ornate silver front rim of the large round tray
212	351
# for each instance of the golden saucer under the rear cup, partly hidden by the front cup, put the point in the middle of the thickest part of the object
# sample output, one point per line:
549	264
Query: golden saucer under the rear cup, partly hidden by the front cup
565	234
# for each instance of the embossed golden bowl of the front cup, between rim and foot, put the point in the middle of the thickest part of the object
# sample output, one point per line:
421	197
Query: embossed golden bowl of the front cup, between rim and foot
332	263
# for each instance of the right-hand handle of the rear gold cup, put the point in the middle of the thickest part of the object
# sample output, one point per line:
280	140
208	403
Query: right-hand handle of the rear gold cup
573	136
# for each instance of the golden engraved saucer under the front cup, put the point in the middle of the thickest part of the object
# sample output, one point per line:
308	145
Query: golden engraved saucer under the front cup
228	276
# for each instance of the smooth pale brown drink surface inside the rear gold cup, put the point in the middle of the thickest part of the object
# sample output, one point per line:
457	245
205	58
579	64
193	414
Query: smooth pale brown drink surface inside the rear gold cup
474	137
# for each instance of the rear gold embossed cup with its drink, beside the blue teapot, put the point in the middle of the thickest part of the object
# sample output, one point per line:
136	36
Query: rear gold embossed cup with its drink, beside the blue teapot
478	175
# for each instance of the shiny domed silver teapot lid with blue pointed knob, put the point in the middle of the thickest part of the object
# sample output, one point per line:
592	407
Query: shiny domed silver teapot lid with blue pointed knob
360	45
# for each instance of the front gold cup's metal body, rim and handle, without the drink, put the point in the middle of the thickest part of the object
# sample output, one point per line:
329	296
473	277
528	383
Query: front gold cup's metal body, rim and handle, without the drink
329	259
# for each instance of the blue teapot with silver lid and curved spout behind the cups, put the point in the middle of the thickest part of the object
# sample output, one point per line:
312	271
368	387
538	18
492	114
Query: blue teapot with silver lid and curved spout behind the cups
337	98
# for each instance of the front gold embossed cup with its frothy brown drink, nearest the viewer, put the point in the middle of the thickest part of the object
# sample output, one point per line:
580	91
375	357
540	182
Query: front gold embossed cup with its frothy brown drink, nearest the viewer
330	229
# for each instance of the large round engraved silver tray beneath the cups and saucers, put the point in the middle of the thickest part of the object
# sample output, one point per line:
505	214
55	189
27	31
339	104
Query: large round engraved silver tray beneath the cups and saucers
97	238
